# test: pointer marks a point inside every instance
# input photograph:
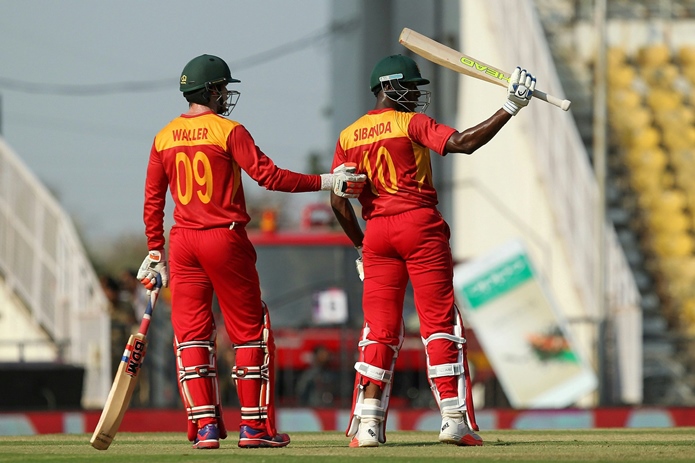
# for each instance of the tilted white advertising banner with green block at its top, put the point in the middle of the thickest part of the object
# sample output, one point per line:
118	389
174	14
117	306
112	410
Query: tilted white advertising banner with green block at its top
522	334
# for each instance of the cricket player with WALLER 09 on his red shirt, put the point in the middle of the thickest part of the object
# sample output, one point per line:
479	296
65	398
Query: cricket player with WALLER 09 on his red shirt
200	156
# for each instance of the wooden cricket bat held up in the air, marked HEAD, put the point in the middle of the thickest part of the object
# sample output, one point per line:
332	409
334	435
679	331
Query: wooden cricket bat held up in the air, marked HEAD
464	64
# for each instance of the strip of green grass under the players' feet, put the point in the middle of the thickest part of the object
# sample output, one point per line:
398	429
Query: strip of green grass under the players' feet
605	445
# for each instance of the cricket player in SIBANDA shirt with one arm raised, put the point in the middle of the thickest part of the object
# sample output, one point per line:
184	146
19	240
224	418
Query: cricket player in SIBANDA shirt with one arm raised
407	238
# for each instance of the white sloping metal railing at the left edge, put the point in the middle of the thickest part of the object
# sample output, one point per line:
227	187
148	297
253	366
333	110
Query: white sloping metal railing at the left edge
44	264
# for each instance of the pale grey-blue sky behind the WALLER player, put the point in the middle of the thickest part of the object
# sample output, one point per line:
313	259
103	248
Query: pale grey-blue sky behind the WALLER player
85	86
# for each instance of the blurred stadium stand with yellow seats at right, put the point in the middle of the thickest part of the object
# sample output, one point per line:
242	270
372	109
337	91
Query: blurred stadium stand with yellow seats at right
650	187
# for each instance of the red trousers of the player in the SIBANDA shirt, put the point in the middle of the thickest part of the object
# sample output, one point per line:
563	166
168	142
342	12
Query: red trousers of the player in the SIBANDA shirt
415	245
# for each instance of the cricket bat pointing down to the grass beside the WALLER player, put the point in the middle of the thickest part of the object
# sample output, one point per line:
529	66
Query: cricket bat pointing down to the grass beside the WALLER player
124	383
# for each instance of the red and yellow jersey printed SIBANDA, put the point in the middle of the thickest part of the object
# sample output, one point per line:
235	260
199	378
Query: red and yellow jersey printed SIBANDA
393	149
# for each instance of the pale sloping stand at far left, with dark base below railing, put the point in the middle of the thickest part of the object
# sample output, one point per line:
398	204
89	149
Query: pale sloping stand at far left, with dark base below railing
54	320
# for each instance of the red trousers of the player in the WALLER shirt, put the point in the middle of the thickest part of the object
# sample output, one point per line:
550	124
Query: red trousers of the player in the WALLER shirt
223	259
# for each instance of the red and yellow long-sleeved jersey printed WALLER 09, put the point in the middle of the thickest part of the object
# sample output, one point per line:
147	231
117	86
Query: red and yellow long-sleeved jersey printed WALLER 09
200	159
